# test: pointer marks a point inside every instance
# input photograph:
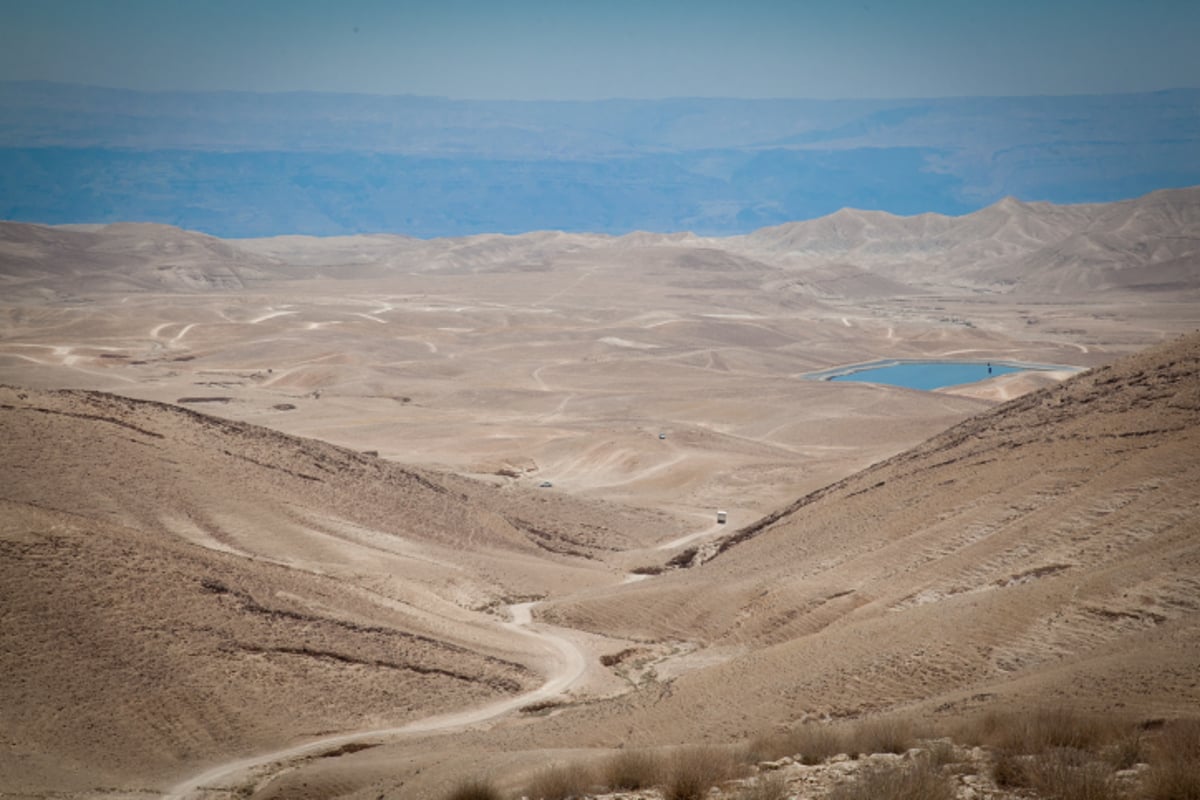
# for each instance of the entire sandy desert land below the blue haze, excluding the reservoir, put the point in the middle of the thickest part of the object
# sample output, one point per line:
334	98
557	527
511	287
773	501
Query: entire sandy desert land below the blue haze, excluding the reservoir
493	516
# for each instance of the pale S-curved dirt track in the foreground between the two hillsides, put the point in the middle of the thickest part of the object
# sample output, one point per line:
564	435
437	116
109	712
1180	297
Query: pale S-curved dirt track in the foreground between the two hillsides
571	664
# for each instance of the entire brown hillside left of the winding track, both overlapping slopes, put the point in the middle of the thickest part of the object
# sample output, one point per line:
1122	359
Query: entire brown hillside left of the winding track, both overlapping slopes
178	587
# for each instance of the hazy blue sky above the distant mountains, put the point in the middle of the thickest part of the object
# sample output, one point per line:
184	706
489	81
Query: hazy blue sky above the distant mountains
532	50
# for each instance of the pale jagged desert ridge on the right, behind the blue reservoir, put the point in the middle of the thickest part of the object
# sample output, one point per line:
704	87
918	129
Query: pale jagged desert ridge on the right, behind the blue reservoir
1012	246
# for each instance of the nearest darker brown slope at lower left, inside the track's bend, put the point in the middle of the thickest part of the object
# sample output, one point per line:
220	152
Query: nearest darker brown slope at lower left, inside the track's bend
129	657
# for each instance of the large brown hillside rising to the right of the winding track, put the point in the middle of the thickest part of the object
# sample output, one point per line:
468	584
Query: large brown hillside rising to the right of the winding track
1048	550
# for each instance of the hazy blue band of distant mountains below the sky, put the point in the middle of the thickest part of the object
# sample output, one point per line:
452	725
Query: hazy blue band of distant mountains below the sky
242	165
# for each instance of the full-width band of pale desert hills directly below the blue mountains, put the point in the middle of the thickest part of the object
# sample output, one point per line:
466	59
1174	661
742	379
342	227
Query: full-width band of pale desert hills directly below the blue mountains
1149	244
